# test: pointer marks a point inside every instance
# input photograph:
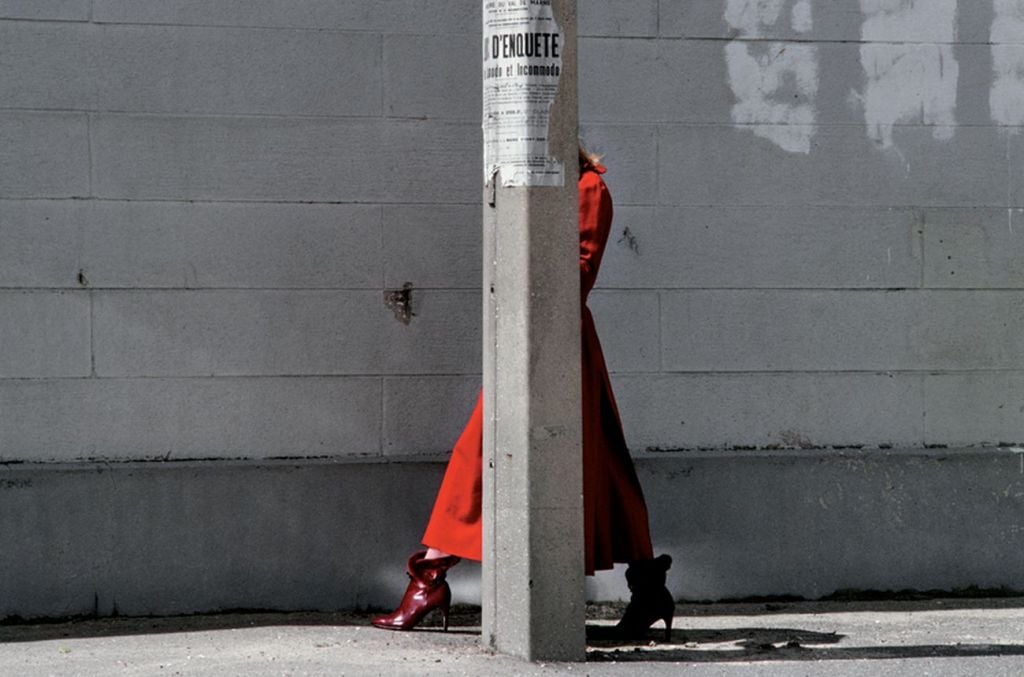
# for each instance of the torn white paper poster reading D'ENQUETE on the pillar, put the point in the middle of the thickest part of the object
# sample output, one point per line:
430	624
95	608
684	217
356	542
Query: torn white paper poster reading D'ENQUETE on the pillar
523	64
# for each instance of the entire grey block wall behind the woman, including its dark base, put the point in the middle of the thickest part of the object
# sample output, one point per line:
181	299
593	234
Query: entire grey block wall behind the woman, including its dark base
204	208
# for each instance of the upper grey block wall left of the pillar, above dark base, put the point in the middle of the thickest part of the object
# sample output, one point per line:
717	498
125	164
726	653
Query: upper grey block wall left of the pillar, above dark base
201	210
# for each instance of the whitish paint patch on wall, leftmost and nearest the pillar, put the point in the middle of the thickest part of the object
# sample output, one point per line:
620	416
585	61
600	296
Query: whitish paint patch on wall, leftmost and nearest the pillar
775	83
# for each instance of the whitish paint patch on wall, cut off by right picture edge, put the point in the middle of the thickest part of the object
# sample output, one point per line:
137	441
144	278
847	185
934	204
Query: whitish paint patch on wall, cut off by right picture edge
1007	96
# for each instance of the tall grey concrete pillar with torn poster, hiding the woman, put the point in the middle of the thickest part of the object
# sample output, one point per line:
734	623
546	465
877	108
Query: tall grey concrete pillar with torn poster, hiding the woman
533	587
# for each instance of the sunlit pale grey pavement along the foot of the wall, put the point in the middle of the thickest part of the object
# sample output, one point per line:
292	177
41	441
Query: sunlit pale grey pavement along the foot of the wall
929	638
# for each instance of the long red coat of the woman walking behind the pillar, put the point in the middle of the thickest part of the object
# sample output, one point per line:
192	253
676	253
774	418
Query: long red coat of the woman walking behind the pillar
615	514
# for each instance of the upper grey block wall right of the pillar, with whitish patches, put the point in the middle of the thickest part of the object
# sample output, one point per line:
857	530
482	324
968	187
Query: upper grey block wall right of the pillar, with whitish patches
820	206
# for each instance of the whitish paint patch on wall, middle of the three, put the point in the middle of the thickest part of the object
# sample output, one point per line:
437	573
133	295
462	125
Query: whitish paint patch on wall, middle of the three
911	72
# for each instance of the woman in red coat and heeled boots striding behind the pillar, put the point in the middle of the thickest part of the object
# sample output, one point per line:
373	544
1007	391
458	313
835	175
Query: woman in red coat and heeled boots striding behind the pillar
615	514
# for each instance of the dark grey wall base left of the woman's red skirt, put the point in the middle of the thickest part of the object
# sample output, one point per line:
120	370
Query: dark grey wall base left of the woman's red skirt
149	539
